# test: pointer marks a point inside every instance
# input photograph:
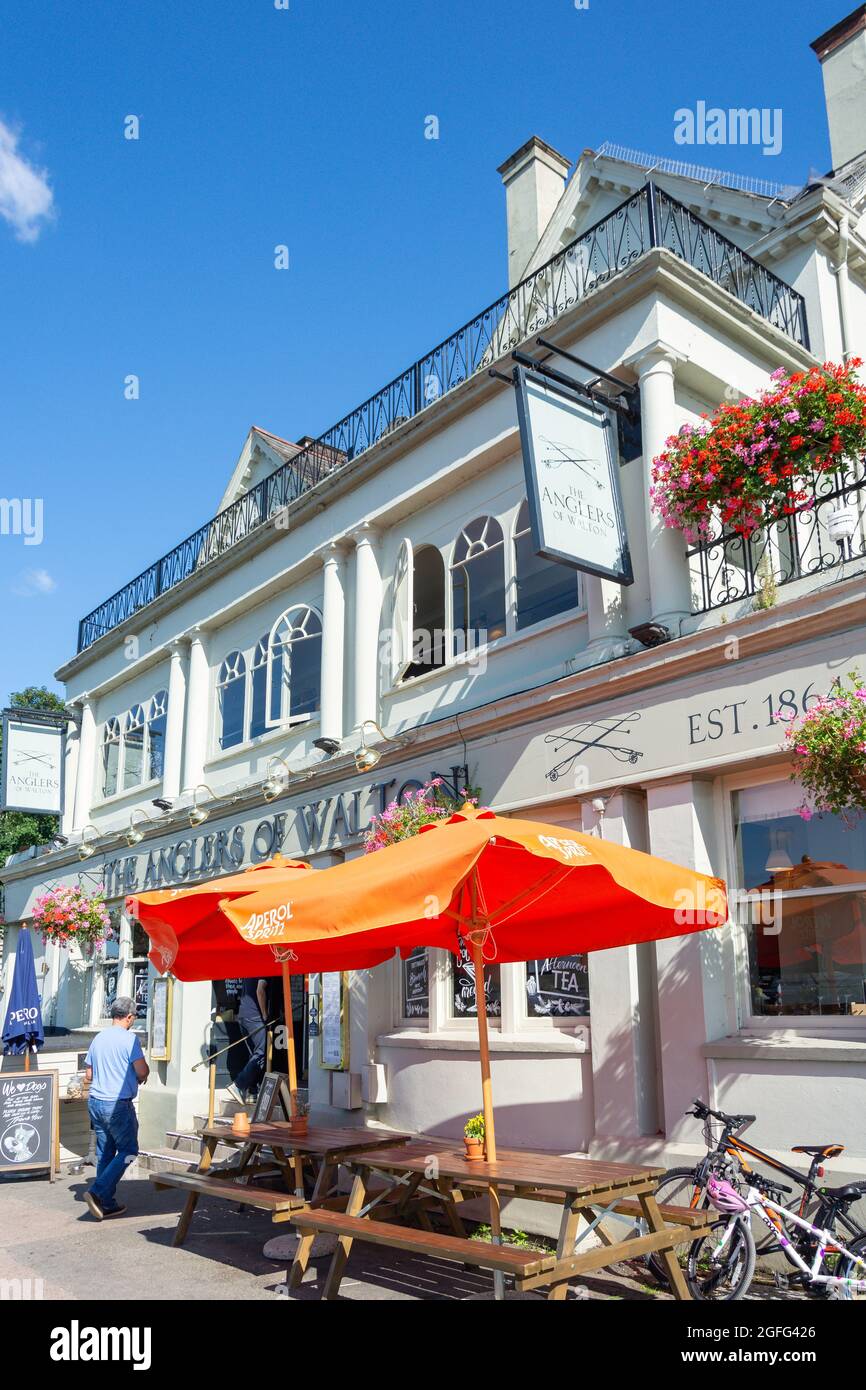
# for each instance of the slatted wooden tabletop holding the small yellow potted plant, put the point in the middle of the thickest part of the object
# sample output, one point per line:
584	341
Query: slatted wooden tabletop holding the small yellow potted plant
514	1167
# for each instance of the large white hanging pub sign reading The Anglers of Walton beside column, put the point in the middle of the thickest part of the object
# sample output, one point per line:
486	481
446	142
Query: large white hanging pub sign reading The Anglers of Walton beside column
572	472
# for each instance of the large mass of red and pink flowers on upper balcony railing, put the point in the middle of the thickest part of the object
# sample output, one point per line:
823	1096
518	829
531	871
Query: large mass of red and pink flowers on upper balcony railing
749	464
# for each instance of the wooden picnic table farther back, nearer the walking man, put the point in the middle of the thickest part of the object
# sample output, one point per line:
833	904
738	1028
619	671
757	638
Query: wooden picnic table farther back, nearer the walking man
322	1149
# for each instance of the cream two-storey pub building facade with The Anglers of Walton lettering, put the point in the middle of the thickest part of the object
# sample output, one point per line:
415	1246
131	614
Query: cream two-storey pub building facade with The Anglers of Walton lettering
373	600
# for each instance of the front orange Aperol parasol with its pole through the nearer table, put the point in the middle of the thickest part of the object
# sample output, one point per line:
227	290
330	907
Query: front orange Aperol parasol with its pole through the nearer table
512	889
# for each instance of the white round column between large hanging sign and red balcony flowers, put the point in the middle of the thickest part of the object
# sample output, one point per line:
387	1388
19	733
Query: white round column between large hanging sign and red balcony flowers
669	587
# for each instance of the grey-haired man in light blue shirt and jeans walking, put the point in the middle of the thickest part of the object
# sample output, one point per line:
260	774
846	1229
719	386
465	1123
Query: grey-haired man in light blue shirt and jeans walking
115	1068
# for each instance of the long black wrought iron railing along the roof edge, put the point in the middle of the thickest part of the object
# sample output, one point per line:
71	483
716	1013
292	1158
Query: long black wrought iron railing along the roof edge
647	220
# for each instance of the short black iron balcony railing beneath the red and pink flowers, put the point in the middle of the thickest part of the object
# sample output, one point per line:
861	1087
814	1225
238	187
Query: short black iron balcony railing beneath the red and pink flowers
730	568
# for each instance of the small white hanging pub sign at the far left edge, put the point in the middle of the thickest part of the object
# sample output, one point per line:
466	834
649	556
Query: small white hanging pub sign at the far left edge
33	764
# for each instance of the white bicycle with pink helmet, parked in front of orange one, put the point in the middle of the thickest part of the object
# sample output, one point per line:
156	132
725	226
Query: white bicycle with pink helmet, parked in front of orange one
730	1248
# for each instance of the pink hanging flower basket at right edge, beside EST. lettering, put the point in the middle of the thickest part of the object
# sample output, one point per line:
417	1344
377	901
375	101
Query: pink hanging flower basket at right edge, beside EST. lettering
829	751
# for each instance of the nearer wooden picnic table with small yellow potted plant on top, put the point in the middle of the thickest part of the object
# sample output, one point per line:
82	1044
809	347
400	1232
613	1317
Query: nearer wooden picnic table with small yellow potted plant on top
429	1174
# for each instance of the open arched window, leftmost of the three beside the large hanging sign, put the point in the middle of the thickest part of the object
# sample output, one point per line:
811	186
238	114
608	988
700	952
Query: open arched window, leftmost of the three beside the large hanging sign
419	612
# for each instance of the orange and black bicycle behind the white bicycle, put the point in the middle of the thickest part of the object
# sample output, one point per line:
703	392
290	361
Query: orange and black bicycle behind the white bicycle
729	1154
